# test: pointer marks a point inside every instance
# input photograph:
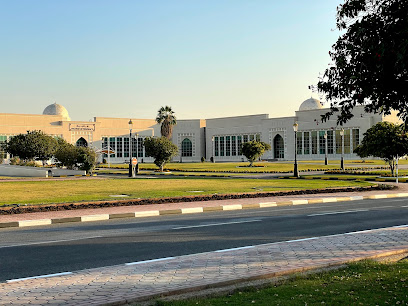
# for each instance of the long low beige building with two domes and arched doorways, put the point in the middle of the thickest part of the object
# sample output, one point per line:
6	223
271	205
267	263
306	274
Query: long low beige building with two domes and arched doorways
220	138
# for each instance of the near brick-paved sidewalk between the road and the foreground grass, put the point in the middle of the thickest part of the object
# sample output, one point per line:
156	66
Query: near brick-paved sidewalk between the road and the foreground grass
150	279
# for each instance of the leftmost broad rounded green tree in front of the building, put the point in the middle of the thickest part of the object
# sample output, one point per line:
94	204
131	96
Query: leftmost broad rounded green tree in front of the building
33	145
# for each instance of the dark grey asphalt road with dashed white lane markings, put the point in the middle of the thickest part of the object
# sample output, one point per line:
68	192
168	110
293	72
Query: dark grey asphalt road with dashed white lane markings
26	252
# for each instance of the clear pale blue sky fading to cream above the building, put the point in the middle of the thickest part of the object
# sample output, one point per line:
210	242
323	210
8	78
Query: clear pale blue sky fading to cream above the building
127	58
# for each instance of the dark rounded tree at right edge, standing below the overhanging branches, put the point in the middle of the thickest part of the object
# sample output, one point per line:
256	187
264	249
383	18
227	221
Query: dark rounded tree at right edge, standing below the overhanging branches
384	140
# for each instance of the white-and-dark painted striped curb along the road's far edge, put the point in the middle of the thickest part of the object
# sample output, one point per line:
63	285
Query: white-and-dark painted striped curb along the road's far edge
192	210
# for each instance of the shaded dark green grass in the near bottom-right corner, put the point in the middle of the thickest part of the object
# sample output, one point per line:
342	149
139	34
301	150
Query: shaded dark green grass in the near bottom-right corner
362	283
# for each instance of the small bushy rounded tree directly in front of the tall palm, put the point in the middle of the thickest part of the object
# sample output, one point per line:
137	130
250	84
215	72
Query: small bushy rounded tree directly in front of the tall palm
161	149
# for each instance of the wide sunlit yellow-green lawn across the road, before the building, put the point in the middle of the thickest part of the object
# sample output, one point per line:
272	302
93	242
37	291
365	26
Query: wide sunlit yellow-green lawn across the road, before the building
37	192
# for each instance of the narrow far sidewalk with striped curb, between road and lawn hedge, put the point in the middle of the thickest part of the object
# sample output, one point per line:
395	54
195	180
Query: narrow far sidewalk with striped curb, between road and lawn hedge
99	214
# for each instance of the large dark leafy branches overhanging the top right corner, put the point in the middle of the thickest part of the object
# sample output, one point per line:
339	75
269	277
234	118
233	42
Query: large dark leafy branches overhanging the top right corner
370	60
